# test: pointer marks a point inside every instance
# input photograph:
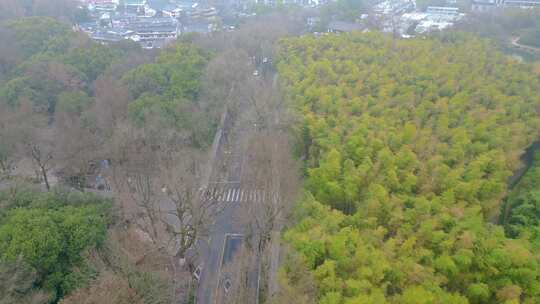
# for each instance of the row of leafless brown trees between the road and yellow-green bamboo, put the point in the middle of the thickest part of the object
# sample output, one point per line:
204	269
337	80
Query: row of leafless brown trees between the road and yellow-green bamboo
270	168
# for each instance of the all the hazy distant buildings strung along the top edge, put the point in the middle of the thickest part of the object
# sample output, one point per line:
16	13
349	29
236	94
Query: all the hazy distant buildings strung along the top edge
154	23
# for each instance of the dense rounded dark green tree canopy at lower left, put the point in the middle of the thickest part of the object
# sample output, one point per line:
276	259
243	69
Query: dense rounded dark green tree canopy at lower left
50	232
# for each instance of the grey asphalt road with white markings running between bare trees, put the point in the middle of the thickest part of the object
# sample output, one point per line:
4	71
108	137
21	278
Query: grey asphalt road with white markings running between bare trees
227	174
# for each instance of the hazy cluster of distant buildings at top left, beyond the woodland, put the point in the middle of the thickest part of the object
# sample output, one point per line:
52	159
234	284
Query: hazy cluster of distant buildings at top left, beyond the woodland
153	23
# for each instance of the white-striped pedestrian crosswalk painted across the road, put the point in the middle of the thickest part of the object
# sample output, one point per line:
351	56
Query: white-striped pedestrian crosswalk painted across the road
234	195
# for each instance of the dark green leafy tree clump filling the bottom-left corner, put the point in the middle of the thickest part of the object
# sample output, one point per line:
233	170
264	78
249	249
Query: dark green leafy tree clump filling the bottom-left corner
51	231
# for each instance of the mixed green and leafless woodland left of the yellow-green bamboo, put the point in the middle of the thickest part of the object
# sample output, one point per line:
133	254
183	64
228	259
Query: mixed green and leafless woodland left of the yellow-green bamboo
74	112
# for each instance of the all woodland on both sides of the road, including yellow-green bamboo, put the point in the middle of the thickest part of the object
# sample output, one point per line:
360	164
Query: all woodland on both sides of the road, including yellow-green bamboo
408	150
